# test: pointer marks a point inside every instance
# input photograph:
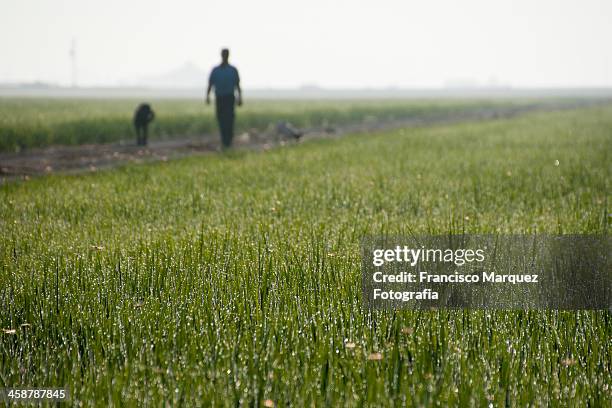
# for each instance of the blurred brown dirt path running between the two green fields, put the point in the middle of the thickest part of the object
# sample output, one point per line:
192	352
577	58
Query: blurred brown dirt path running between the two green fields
93	157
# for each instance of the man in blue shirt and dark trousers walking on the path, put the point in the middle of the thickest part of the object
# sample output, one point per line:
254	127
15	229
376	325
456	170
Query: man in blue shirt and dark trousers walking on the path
224	78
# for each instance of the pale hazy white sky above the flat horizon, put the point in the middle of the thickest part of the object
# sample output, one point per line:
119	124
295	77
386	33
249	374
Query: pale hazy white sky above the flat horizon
284	43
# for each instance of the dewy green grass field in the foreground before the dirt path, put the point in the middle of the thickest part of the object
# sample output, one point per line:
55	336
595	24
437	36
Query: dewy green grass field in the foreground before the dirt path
235	279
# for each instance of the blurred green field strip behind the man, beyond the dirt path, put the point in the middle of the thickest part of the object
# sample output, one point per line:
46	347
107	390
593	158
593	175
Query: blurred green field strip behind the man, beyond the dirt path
39	122
